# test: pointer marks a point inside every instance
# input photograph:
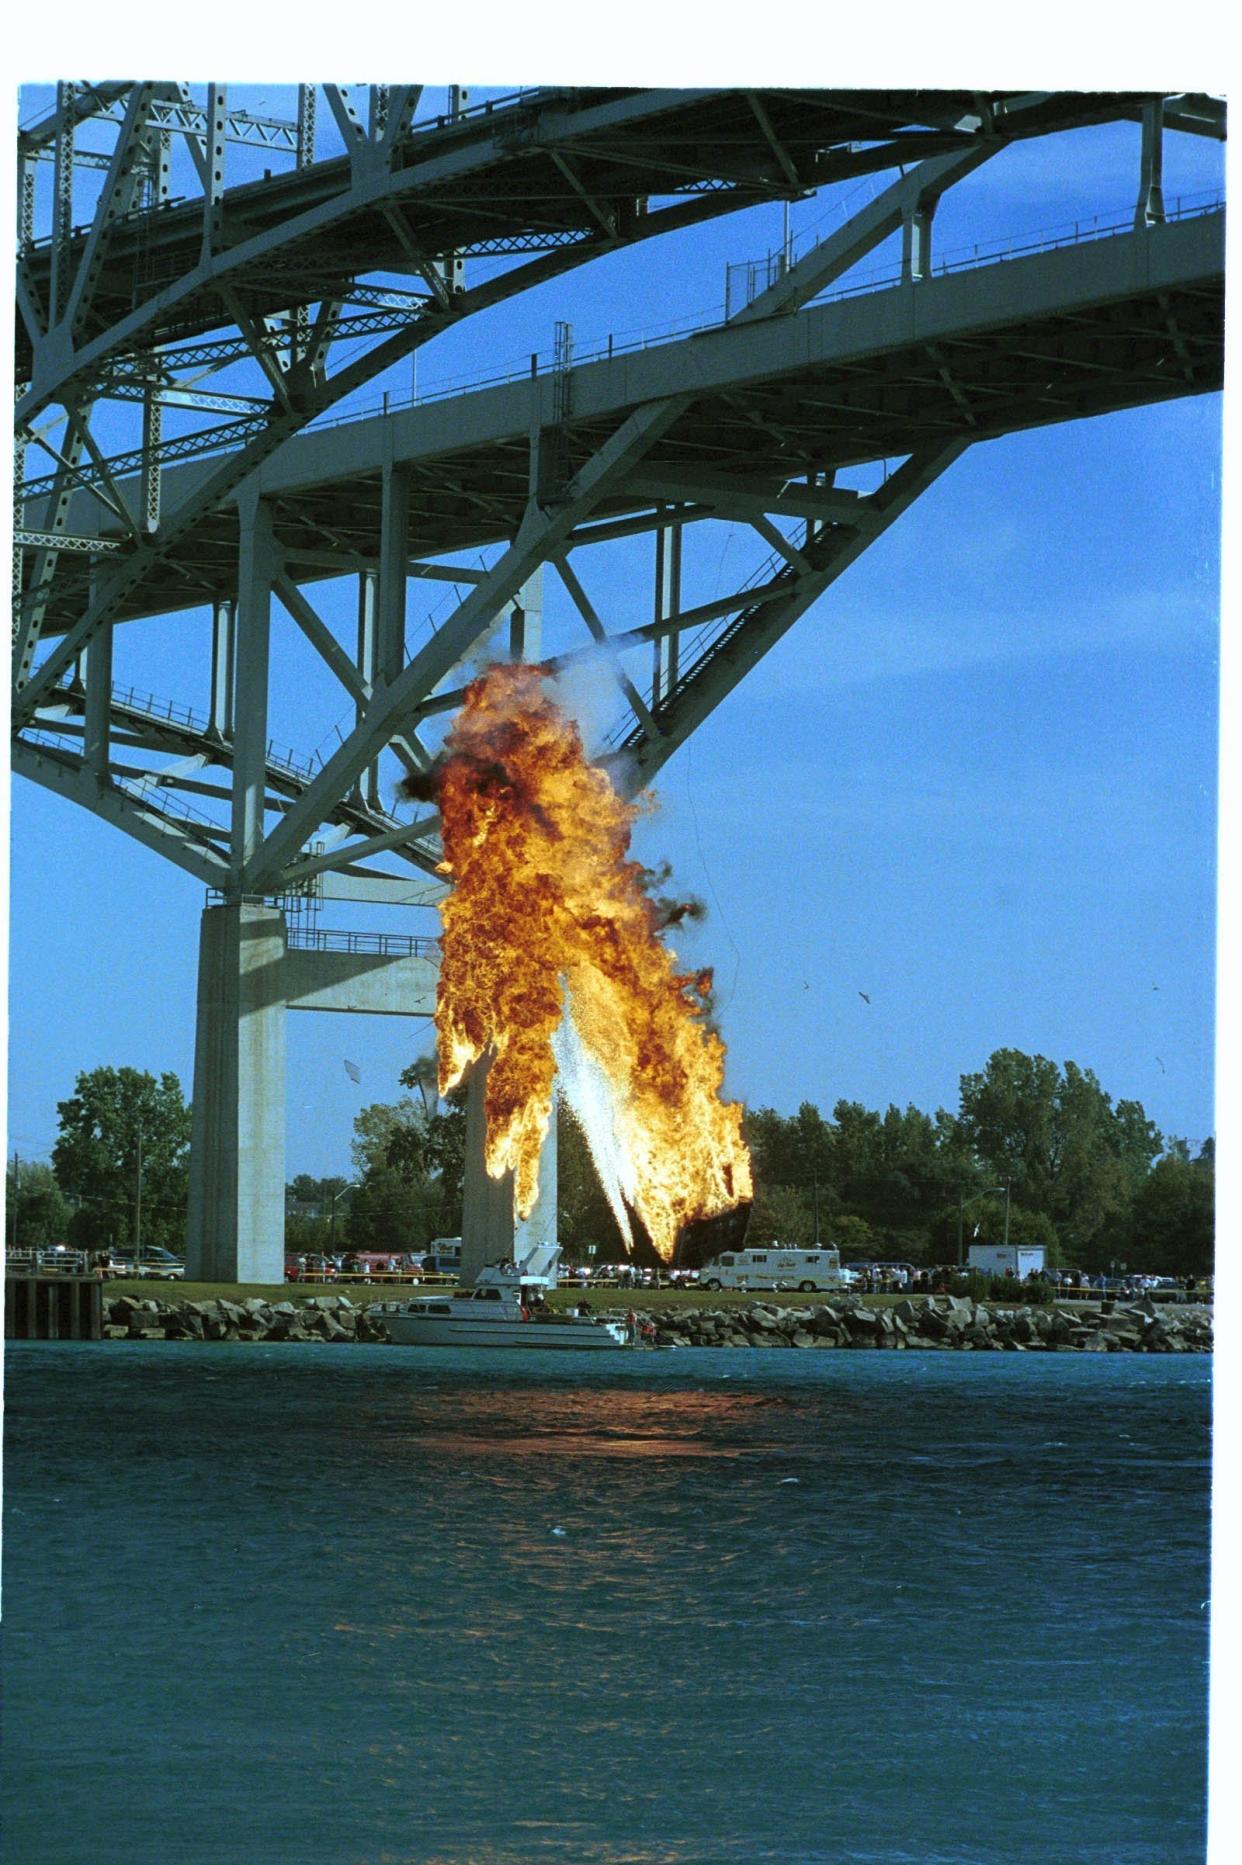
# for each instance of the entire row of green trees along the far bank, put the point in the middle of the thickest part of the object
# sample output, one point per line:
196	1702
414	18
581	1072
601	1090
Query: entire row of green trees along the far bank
1034	1146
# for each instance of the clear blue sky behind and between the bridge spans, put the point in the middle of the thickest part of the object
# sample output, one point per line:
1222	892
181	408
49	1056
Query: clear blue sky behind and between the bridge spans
976	782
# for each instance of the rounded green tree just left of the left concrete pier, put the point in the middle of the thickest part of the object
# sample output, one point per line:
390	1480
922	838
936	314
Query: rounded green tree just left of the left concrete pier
124	1154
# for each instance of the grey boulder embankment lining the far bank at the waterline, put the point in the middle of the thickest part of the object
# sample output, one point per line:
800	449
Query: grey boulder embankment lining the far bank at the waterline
924	1323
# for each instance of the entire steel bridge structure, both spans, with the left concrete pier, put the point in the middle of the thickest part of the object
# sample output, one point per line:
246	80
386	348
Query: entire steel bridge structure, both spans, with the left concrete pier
178	376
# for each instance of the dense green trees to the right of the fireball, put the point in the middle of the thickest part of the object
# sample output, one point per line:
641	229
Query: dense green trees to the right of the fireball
1034	1150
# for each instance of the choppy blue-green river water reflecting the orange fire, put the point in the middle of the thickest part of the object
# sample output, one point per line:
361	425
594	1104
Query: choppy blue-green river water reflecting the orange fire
385	1605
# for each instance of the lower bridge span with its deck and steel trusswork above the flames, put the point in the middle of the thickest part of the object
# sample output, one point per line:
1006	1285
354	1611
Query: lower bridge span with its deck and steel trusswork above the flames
747	424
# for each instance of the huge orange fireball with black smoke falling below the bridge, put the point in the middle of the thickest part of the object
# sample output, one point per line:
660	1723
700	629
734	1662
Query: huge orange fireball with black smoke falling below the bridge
547	911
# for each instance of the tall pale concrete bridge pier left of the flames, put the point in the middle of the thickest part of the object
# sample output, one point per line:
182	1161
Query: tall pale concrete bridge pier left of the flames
238	1144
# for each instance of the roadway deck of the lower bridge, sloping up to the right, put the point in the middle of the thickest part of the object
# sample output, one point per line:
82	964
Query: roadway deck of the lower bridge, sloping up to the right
1083	331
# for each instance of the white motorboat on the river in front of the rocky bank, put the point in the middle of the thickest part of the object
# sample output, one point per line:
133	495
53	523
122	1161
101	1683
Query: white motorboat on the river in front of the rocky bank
499	1312
